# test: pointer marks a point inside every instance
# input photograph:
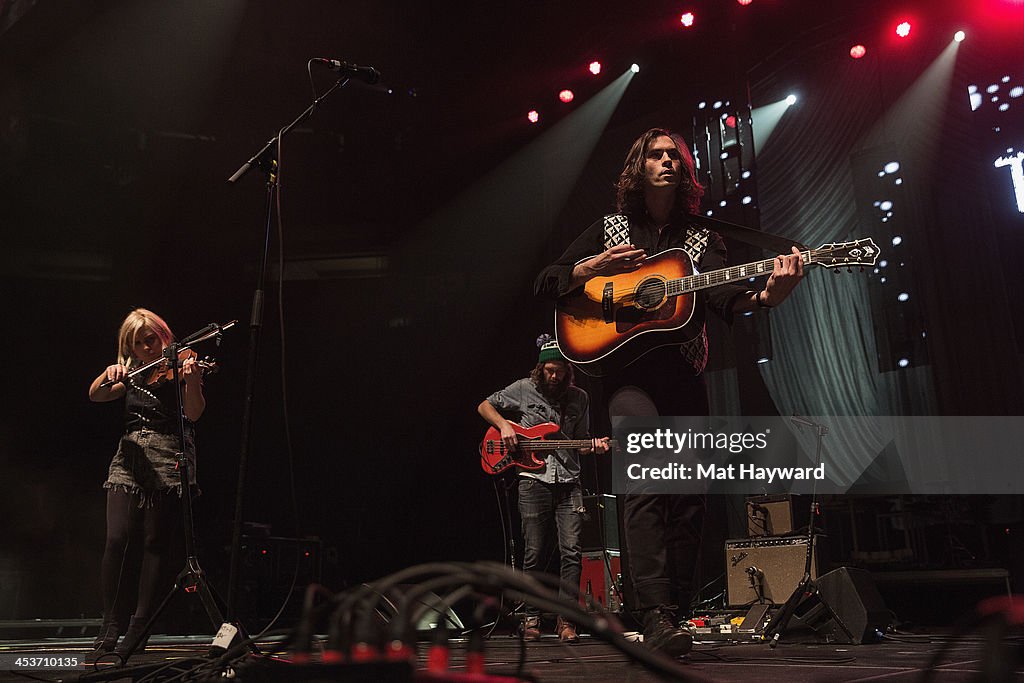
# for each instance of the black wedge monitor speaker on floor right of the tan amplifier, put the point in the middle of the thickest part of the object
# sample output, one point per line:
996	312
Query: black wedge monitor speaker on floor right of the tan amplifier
846	609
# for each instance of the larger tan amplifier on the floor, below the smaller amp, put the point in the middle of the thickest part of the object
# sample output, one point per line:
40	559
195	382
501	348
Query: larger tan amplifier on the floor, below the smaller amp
774	566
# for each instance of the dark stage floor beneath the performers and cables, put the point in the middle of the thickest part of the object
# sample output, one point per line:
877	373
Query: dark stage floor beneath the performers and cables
593	661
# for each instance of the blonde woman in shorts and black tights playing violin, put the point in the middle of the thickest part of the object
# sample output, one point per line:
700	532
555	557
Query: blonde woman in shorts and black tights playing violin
143	486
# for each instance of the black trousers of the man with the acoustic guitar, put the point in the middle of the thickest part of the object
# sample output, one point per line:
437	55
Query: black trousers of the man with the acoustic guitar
663	532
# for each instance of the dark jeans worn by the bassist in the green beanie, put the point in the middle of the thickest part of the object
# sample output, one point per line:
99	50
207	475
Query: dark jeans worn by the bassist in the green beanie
540	505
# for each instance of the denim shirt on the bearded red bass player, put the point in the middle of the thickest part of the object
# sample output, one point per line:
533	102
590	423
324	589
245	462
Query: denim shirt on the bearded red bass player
523	403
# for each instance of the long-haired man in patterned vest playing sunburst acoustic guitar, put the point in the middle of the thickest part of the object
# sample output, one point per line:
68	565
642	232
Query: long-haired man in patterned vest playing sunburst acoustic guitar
658	191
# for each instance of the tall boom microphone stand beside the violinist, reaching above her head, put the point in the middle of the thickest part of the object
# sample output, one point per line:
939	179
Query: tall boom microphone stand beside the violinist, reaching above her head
267	160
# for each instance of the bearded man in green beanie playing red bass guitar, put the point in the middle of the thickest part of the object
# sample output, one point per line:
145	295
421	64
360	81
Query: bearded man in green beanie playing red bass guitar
550	494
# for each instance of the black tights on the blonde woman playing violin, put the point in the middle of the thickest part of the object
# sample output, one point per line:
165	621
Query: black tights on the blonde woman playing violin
129	525
